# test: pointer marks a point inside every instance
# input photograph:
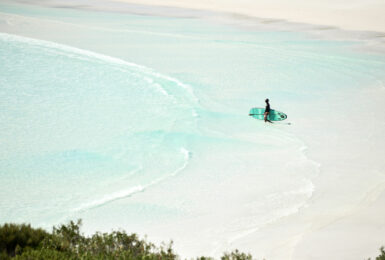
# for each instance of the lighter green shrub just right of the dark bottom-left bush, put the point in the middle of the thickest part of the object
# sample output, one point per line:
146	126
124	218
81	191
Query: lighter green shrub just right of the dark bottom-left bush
68	240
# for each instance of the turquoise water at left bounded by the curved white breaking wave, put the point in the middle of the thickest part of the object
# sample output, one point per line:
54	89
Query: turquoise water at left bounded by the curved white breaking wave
79	119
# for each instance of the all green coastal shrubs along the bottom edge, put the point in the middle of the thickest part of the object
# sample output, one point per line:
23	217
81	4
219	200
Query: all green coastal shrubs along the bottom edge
21	241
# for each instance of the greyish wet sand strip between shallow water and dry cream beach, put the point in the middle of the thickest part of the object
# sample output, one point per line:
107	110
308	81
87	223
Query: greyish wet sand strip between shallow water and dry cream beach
372	37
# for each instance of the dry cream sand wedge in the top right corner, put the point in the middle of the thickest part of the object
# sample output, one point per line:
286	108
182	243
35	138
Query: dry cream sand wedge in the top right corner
355	16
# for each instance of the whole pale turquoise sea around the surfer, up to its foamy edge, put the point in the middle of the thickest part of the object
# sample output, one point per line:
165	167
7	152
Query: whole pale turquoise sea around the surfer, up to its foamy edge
142	122
